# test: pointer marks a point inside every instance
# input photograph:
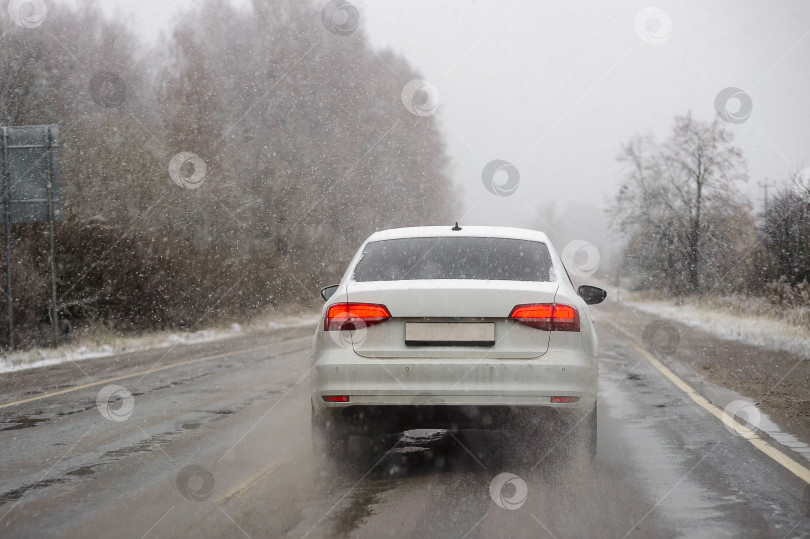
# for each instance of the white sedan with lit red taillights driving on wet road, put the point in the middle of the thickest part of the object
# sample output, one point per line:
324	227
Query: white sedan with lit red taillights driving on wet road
452	327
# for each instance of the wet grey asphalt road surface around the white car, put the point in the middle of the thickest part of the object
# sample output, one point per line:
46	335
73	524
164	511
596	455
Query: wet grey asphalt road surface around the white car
218	445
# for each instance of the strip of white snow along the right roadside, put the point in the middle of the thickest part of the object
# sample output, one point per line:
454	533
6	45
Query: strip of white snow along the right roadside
765	332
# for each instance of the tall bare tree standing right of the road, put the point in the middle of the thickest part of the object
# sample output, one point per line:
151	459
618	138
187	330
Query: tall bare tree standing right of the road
679	206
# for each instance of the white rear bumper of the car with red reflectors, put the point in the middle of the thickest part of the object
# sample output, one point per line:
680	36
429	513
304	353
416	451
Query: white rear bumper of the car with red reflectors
455	382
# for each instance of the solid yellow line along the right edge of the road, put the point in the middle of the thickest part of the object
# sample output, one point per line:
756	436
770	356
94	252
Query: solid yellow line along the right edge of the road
785	461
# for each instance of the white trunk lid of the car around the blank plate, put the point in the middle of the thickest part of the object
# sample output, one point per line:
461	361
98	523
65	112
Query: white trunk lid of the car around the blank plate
453	318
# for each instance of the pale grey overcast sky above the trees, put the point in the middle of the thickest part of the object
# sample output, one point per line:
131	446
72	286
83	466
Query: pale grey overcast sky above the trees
554	87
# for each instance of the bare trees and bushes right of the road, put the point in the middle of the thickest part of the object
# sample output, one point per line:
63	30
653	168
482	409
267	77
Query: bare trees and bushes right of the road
688	230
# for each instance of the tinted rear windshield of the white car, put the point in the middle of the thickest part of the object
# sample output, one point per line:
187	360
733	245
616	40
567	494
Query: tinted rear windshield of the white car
454	258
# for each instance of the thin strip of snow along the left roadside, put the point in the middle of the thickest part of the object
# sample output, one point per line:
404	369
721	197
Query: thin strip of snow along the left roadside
43	357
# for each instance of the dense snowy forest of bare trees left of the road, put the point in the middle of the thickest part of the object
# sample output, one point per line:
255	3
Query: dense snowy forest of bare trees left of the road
296	144
